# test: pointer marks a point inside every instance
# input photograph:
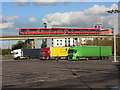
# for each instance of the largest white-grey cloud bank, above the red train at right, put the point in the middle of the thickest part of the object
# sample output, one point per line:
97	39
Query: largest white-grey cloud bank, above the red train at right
88	17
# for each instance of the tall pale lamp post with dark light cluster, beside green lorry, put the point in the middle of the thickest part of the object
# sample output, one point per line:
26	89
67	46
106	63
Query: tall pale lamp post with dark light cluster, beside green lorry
114	12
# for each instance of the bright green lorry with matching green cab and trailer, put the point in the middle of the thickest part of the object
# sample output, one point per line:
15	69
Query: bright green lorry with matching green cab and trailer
89	52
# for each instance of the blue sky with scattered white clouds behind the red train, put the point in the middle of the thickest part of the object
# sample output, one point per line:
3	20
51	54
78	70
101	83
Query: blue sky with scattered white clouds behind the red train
16	15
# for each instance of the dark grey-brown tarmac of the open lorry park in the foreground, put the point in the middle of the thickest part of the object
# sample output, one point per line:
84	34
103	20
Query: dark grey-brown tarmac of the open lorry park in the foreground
35	73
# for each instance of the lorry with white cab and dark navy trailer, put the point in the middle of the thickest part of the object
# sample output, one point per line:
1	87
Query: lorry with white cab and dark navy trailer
25	53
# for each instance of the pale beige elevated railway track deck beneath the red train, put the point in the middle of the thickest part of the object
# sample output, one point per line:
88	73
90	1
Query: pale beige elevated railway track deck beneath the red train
22	37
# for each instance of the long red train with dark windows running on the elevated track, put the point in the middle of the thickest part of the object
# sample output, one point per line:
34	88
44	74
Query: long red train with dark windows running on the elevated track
39	31
